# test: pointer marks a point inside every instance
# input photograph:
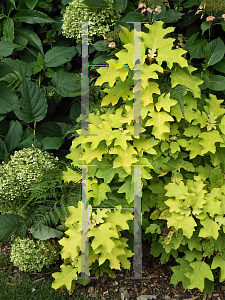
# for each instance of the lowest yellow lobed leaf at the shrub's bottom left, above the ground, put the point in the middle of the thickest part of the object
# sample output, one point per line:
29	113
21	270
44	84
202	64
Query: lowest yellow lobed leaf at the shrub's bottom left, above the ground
65	277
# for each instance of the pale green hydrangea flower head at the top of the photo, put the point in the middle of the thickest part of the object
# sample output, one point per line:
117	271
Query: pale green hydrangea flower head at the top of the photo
77	11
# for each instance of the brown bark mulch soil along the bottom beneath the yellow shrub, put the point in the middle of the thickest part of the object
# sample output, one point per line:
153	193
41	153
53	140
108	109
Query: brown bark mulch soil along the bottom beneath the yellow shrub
157	285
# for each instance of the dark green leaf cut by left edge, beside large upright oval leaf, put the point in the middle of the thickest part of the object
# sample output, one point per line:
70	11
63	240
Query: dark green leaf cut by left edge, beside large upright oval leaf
7	99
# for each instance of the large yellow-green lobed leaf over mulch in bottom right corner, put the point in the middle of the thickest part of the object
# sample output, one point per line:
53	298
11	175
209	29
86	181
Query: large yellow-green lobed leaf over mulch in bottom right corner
200	271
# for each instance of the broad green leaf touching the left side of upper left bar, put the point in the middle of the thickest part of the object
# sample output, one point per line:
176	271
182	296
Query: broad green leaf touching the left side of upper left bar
66	83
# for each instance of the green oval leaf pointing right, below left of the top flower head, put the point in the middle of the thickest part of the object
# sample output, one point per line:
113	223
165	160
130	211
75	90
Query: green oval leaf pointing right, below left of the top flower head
58	56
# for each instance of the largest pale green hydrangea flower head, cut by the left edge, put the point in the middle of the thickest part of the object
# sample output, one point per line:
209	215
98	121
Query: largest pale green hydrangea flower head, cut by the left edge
23	170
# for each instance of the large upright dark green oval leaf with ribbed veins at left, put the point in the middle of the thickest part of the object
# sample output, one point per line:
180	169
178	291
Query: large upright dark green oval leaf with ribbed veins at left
32	106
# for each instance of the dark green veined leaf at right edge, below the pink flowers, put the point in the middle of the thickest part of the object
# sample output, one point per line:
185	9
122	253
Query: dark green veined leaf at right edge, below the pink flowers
214	52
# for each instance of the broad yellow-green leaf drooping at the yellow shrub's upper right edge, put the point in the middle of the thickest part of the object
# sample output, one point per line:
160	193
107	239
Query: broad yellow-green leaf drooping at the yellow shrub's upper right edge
180	76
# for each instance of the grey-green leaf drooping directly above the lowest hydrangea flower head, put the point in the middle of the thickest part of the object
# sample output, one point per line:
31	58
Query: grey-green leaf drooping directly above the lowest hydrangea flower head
44	233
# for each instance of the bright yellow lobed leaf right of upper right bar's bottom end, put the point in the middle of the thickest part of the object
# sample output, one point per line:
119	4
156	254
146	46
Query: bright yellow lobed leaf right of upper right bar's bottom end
160	122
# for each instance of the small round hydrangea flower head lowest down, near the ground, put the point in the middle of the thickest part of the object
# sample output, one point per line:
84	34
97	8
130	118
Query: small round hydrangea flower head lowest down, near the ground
31	256
